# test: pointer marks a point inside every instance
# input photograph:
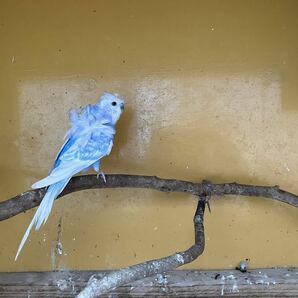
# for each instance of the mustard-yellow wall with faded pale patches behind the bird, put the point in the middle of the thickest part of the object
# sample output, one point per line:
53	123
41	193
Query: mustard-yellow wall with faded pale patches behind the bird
211	93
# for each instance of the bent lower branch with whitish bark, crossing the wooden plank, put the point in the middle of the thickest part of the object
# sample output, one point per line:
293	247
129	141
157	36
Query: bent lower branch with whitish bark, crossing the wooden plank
101	285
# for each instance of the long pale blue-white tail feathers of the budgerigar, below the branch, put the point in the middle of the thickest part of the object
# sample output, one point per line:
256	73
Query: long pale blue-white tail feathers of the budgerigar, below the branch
44	209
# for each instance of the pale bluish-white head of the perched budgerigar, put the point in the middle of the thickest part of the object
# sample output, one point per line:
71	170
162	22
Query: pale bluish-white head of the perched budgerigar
112	105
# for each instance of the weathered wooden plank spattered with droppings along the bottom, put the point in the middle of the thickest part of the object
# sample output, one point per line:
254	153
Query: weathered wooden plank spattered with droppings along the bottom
181	283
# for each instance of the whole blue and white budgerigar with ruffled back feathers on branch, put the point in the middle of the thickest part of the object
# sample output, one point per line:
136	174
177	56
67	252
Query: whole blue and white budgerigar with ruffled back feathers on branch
89	139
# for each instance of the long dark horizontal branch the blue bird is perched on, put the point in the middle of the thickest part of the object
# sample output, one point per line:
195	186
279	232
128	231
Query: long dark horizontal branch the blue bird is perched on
32	198
